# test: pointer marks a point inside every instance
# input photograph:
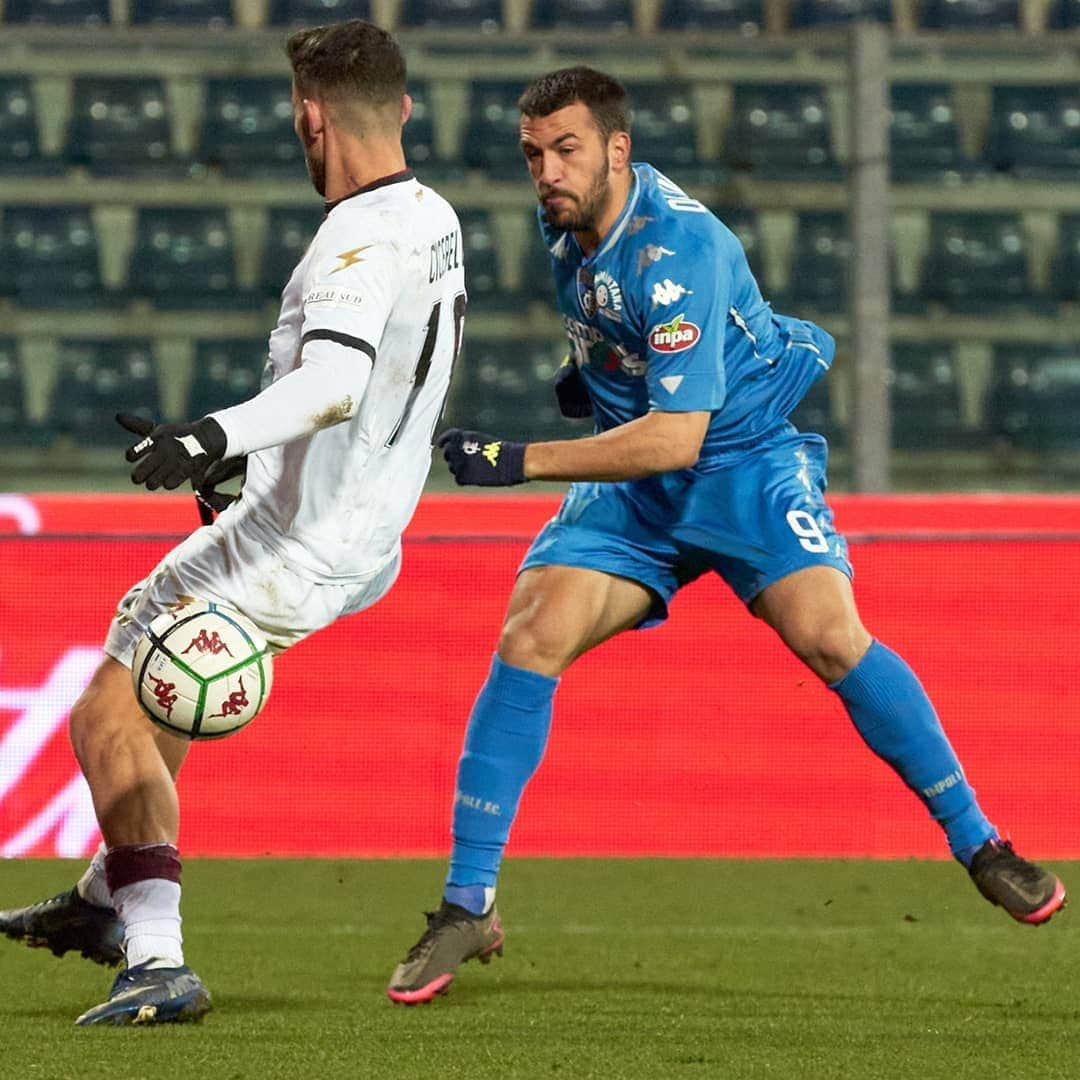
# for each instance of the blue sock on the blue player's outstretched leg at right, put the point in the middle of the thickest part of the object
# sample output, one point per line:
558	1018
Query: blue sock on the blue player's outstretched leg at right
895	717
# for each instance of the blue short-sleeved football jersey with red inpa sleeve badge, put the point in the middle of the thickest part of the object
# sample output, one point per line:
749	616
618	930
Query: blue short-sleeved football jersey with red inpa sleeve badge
666	315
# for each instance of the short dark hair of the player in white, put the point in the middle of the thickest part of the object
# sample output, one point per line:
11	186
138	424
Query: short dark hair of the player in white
355	61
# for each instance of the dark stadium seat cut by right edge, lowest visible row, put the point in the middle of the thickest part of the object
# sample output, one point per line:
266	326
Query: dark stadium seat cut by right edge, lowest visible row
1034	397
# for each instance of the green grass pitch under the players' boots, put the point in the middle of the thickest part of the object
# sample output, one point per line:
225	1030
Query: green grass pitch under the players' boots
659	969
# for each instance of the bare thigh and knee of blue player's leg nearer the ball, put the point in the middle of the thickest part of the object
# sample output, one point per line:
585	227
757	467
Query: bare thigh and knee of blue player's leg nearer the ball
558	613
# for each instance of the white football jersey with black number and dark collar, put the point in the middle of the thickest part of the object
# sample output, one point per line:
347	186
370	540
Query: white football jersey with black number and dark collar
384	282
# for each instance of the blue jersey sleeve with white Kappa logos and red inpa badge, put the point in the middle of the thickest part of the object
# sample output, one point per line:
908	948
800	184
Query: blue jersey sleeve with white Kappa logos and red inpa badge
683	303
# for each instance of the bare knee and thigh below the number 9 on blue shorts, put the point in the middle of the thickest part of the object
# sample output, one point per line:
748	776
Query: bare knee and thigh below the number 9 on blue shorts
814	612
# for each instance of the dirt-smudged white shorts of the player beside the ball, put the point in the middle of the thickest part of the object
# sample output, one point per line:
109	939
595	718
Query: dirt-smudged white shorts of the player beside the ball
228	568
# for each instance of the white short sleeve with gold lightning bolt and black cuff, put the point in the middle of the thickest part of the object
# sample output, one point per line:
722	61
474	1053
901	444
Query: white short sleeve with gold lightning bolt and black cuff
350	294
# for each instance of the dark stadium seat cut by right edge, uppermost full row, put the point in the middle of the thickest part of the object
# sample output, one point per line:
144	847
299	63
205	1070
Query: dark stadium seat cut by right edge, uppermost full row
1035	131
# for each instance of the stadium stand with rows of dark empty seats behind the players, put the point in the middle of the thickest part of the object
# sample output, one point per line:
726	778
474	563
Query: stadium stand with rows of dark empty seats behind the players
154	199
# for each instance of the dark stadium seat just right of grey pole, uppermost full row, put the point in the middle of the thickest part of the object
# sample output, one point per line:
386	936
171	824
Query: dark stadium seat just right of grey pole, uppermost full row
924	134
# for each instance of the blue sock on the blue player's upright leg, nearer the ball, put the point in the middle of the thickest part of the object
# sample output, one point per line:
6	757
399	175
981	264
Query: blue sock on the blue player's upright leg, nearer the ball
505	742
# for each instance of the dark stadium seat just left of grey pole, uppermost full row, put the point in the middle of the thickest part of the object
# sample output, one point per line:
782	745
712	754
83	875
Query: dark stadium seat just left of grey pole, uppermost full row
781	132
